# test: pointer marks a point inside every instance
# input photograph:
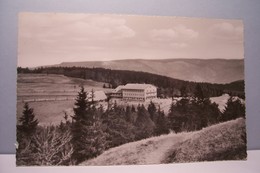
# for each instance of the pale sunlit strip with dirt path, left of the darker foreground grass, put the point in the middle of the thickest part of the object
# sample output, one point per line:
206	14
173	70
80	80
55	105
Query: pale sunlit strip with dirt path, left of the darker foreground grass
150	151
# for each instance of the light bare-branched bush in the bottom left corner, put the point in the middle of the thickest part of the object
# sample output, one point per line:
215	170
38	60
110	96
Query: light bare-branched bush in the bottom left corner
48	146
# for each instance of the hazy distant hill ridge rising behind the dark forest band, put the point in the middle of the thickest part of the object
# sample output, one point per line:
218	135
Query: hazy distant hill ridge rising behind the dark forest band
197	70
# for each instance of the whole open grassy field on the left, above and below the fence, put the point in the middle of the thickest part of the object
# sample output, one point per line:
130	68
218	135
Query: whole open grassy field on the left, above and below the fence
50	95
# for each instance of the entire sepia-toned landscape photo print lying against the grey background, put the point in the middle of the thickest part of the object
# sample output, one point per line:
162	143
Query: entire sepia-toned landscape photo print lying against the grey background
110	89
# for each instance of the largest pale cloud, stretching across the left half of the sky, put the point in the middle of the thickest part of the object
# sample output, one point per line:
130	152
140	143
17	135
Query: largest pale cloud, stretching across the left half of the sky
76	27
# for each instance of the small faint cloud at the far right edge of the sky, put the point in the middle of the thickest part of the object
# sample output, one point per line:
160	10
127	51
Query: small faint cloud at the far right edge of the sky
226	30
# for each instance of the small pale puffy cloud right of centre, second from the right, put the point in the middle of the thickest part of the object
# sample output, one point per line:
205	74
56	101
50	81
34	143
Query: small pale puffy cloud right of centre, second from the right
177	33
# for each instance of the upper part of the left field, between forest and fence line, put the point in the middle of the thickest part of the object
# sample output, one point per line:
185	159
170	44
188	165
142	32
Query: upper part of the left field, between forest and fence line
49	85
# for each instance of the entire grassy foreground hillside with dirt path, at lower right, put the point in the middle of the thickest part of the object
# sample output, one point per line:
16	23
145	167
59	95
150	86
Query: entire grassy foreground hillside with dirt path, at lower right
225	141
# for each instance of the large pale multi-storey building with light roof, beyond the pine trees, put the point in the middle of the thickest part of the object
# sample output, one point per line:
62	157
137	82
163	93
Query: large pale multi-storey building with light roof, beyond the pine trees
135	92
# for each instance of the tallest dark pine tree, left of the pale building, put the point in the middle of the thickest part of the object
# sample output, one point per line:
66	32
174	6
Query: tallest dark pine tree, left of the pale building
84	133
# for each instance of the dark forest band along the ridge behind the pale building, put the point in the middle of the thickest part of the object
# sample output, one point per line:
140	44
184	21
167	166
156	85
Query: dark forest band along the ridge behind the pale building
167	87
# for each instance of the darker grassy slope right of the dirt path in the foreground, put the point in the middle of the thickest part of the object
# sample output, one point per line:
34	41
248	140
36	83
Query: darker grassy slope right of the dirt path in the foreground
225	141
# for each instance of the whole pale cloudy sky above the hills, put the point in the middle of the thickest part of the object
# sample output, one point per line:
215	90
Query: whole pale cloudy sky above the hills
53	38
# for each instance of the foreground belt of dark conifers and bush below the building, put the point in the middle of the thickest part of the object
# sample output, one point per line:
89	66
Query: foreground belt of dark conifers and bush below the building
93	130
